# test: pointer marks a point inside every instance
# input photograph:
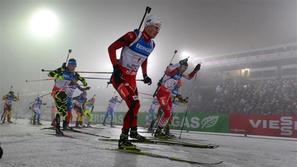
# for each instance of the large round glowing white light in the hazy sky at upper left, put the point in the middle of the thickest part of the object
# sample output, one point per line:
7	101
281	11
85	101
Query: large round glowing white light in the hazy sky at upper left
44	23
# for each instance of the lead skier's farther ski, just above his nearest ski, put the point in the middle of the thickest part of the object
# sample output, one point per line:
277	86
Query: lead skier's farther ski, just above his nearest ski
168	142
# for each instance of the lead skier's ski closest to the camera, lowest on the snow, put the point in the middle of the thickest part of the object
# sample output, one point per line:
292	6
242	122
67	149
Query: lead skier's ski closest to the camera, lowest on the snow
154	155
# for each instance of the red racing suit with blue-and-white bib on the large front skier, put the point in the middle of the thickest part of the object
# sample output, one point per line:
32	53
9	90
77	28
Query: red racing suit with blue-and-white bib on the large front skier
136	47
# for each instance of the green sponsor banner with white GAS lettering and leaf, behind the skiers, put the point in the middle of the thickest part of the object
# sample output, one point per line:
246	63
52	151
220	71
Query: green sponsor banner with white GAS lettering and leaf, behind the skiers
195	121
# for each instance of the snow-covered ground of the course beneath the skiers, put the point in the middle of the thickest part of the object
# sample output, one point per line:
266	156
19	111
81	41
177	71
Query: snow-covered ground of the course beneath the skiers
27	145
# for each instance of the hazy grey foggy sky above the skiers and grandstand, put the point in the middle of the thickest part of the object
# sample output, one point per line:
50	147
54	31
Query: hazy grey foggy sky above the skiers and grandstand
88	27
